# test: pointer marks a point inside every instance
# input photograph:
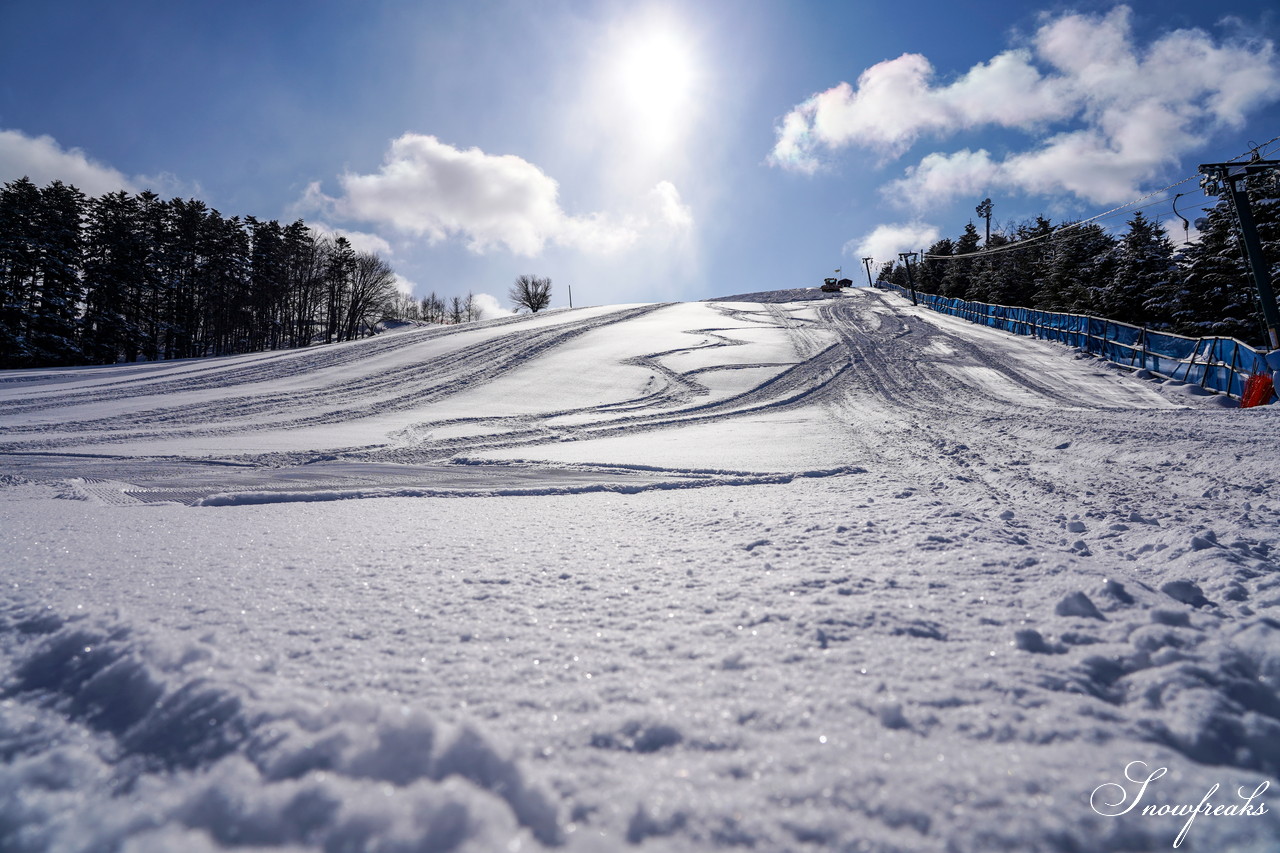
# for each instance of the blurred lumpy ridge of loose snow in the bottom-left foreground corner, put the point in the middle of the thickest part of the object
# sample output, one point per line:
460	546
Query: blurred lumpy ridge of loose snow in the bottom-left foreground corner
147	737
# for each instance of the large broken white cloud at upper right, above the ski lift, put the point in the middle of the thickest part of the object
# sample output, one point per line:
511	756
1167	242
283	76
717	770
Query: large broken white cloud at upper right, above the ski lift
1104	115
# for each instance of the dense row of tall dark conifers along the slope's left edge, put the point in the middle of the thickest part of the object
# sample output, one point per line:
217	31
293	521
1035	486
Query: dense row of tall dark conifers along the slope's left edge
132	276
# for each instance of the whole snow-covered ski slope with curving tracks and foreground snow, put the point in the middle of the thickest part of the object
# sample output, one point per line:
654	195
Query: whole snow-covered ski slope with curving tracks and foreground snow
831	576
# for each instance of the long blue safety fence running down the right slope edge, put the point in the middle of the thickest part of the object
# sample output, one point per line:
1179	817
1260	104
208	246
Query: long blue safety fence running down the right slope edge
1218	364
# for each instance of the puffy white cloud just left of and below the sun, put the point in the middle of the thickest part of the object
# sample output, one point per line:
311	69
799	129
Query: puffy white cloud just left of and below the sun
429	189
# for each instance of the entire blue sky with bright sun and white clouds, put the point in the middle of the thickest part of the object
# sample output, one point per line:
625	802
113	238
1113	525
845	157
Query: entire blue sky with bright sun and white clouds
637	152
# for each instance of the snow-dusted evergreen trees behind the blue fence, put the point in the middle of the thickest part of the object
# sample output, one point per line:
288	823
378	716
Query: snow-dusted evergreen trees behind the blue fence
1140	277
